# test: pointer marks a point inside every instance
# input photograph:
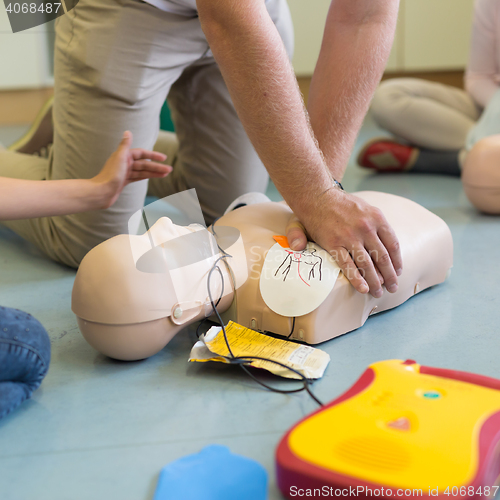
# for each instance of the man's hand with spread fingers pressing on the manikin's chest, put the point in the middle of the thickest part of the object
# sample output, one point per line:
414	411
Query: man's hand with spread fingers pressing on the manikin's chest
358	237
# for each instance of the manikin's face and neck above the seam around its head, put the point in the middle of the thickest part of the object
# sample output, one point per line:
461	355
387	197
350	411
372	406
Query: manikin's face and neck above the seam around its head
162	273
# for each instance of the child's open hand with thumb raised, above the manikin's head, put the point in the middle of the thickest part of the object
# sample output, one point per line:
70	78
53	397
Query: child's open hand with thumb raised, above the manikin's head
127	165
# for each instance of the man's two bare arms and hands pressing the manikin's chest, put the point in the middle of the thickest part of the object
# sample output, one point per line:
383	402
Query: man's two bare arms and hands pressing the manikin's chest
260	79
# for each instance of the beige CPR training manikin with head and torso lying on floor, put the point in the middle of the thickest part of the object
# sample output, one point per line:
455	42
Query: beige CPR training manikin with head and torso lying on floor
129	304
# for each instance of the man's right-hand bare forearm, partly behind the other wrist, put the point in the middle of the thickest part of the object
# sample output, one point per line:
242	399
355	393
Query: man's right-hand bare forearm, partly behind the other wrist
356	44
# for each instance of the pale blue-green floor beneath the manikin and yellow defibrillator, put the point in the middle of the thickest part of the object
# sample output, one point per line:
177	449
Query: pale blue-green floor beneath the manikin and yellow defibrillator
100	429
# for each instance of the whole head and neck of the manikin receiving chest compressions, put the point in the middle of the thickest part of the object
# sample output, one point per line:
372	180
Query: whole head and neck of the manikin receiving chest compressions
132	294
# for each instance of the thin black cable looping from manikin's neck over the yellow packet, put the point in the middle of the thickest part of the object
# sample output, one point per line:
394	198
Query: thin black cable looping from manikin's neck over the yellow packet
241	360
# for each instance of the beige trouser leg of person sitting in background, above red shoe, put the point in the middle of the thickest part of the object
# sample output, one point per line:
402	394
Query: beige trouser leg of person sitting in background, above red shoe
425	114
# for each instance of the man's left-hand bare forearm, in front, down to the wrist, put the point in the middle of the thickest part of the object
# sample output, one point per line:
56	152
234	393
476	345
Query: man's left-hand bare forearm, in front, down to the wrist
260	79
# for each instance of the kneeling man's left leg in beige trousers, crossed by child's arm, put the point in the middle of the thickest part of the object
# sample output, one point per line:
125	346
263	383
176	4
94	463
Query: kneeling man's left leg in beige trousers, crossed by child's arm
114	64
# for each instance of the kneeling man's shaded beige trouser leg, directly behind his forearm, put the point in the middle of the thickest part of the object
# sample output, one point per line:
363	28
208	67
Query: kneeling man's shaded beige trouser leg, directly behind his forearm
215	155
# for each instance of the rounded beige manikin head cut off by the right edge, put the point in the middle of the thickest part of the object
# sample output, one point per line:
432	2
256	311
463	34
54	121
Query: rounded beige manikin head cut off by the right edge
481	175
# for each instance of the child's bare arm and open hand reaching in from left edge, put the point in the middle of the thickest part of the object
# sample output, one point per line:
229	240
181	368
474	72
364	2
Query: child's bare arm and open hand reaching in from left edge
23	199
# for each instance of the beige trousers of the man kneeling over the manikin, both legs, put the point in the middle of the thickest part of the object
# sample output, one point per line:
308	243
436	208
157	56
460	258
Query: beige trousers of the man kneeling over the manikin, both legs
115	63
